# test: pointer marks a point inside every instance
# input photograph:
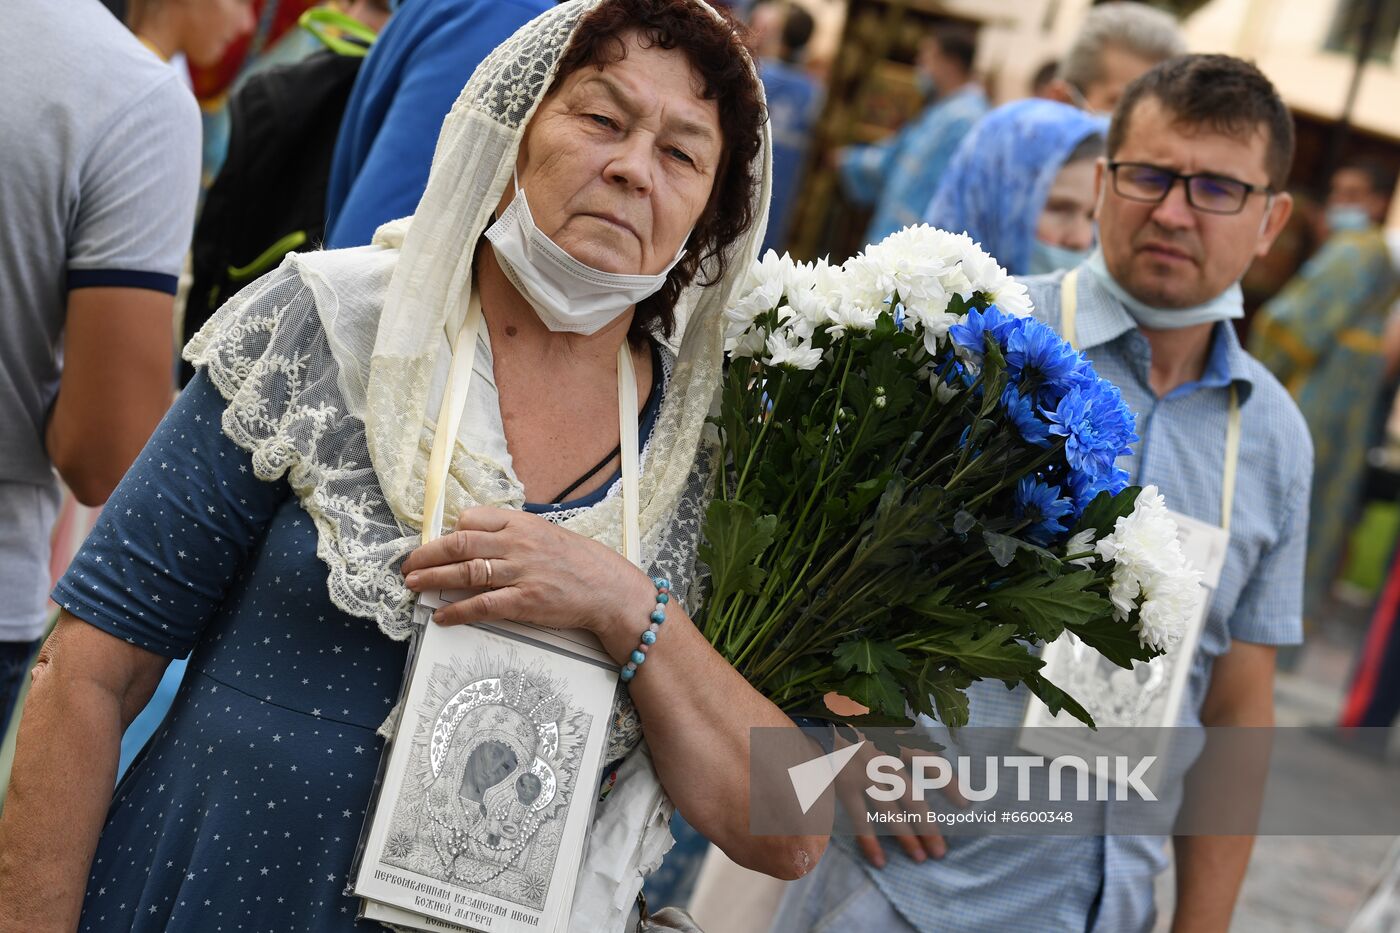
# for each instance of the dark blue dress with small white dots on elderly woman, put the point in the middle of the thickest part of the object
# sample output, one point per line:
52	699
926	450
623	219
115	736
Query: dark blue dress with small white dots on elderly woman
244	810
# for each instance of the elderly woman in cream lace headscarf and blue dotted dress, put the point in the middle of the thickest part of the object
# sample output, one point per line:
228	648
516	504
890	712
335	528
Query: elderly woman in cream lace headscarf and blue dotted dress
605	167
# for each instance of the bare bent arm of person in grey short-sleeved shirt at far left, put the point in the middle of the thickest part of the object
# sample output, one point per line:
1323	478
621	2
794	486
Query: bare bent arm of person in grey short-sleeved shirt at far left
117	385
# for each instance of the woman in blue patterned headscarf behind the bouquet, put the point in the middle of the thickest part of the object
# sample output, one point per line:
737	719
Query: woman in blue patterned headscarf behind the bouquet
1023	186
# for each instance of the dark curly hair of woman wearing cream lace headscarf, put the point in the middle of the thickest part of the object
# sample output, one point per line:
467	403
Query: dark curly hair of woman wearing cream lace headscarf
713	47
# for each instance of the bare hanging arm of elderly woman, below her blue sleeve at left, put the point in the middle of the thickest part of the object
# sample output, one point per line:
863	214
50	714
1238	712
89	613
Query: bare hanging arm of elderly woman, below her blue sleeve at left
87	689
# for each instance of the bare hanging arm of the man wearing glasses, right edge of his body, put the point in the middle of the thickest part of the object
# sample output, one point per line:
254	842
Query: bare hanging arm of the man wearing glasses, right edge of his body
1212	869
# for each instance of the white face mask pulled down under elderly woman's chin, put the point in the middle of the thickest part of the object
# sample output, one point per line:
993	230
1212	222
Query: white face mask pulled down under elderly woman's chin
568	295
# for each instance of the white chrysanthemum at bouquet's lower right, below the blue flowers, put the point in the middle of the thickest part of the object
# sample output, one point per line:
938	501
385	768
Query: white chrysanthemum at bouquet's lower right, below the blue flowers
1149	567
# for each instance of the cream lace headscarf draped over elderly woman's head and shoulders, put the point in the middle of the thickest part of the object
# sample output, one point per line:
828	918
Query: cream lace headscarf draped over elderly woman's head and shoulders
330	364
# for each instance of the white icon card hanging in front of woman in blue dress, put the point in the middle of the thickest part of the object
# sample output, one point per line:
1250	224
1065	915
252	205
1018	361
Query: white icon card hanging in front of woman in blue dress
492	780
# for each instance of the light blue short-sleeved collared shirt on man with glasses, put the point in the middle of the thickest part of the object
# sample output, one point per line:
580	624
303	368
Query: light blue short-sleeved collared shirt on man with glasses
1105	883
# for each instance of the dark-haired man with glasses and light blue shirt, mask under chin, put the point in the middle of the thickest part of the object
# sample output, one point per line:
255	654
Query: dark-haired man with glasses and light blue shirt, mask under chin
1189	195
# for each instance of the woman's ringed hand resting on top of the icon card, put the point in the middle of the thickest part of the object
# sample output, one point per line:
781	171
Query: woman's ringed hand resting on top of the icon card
521	567
